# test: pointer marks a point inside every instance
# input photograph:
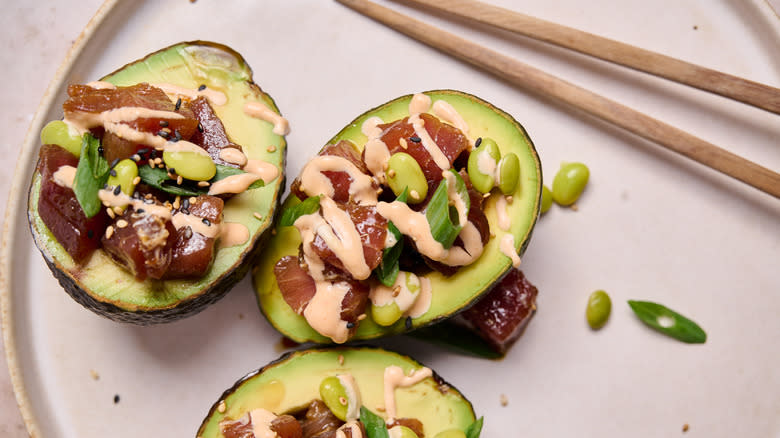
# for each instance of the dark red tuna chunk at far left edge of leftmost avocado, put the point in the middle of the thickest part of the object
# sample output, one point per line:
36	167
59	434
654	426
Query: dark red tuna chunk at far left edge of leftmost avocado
62	213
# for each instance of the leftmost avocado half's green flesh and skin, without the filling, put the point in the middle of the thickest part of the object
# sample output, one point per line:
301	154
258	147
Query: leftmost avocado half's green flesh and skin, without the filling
109	290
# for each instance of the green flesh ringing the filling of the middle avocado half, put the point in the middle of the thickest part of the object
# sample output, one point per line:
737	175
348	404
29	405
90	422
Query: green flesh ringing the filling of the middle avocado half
449	294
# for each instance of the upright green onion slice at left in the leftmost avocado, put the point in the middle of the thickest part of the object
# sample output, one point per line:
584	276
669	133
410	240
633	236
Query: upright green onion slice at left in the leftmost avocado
91	176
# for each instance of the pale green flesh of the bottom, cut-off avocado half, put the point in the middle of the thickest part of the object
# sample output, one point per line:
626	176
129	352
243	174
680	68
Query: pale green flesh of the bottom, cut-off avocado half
289	384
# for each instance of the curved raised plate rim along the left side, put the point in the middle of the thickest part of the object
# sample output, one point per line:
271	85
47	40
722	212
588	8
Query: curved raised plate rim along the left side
17	194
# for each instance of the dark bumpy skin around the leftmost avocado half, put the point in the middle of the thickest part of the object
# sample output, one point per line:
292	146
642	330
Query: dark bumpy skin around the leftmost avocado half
194	302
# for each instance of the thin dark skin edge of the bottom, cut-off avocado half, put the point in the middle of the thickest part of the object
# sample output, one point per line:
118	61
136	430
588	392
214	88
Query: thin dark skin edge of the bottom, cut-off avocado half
442	385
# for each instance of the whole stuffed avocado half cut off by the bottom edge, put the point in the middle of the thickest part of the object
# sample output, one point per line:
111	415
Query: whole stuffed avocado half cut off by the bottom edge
359	391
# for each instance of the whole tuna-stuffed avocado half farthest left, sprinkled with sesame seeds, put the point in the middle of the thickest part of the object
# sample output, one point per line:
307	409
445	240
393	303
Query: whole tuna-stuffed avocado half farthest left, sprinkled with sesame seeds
194	99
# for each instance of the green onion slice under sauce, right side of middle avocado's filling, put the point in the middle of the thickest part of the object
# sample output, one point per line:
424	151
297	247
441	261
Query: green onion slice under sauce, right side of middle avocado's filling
442	217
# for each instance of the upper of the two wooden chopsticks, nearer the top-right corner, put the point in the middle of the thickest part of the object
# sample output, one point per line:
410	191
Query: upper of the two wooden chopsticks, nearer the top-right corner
752	93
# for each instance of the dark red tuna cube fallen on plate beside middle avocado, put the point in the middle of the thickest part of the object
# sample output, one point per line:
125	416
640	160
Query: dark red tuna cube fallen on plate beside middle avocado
502	314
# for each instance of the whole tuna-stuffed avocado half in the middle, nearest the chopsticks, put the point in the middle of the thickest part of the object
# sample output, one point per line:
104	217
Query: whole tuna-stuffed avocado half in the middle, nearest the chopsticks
476	142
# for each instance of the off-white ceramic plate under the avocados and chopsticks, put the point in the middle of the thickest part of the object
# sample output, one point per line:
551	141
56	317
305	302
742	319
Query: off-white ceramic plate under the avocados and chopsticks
651	225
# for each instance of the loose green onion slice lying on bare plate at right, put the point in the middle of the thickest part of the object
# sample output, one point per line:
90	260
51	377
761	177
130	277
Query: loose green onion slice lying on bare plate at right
668	322
